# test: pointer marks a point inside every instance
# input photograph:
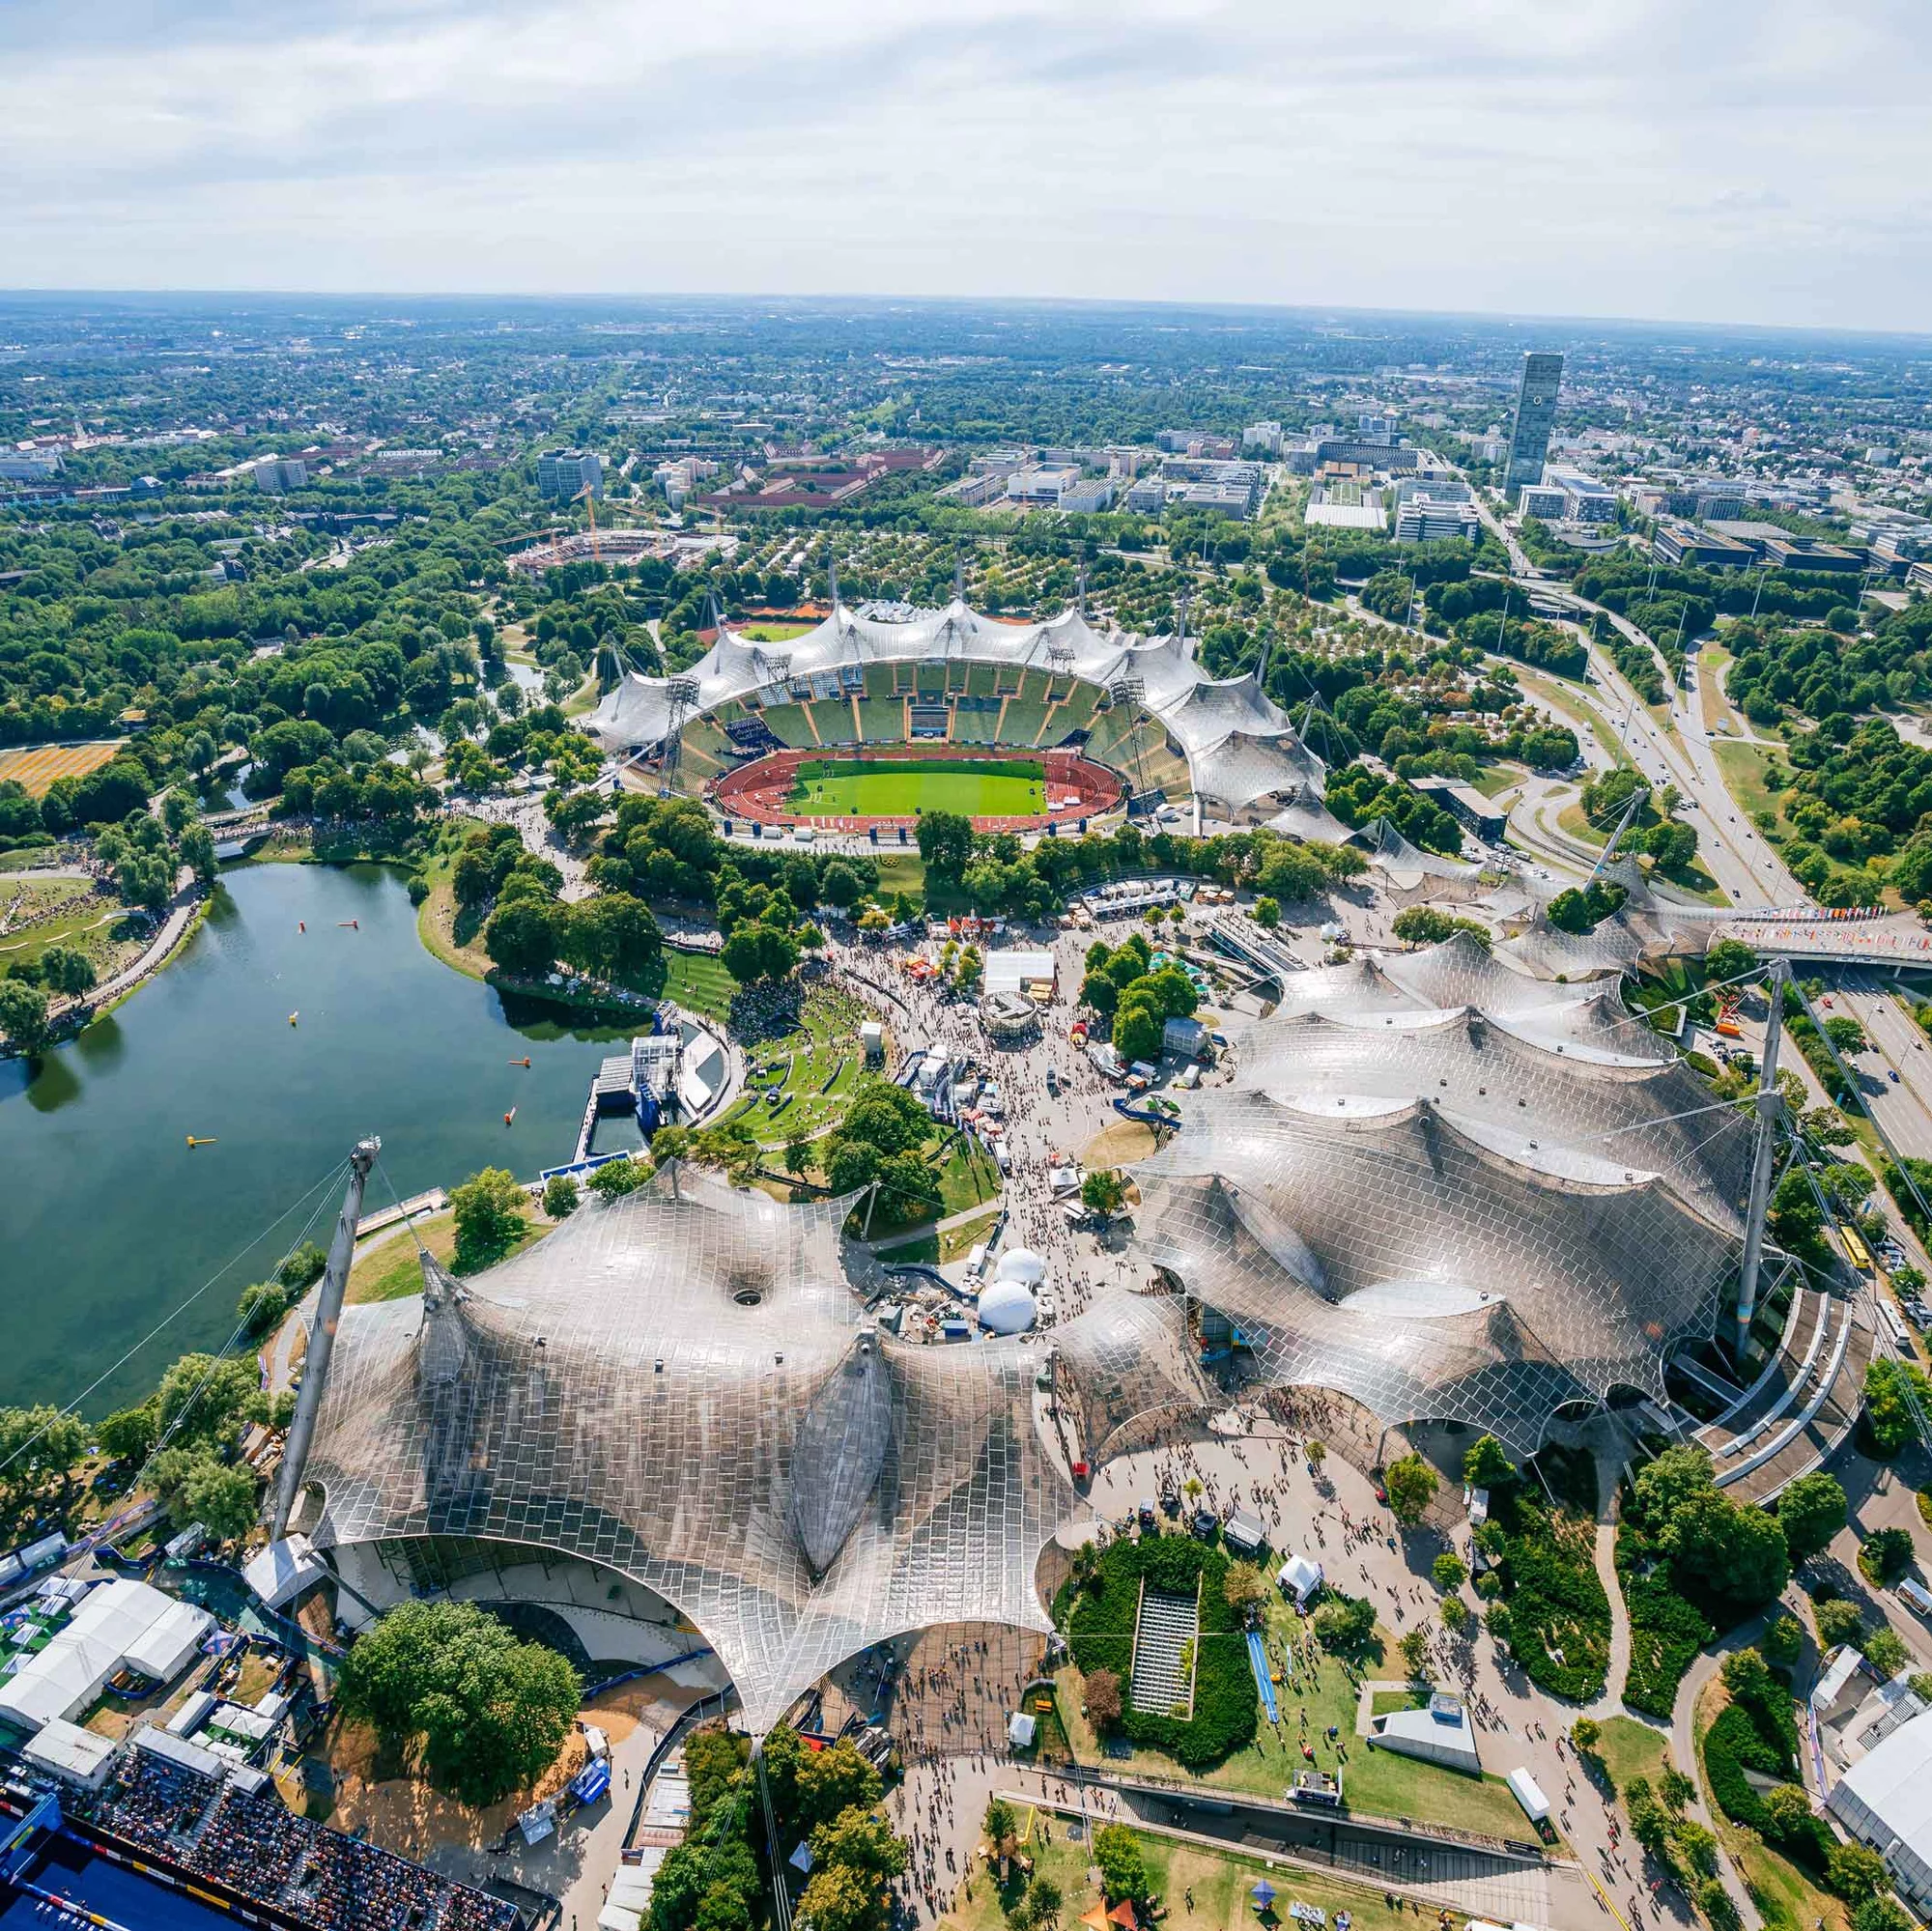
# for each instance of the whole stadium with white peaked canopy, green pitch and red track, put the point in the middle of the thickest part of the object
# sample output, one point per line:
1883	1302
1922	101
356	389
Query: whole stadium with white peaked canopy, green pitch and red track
865	723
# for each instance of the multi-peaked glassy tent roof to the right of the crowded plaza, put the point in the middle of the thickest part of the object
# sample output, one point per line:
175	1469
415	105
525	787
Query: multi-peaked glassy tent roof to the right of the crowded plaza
1452	1192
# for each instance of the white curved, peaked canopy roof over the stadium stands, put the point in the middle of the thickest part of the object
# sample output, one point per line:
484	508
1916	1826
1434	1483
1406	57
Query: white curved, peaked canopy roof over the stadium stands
1237	742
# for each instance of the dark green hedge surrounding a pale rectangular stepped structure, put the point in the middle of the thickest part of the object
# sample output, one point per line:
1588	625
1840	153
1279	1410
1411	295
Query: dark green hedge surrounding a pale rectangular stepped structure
1098	1617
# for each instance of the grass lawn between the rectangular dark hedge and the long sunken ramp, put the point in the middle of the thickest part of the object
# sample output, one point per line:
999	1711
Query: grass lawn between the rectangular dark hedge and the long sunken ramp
1378	1781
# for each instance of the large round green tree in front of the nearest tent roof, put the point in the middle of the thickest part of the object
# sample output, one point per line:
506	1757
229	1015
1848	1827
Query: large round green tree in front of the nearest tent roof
488	1712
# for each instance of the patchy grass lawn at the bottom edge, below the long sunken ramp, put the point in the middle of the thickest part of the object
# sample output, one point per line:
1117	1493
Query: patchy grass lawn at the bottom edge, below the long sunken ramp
1178	1872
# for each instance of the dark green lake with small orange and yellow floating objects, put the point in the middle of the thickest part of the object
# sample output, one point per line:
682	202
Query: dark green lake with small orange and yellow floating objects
109	1219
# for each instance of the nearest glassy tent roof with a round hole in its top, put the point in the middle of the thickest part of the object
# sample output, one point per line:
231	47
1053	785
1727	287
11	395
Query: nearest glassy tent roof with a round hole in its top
681	1385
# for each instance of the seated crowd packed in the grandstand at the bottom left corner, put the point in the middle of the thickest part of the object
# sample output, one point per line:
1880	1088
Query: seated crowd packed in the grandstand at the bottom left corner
258	1849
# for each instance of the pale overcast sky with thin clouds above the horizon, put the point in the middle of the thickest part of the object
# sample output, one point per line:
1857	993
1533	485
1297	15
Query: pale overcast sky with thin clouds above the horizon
1678	159
